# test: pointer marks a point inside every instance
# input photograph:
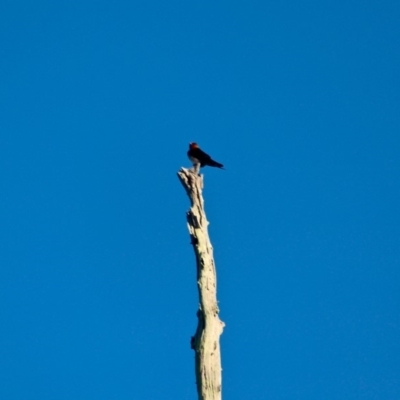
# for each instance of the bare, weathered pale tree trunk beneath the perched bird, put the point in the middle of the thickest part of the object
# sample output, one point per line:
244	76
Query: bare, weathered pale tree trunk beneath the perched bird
205	342
